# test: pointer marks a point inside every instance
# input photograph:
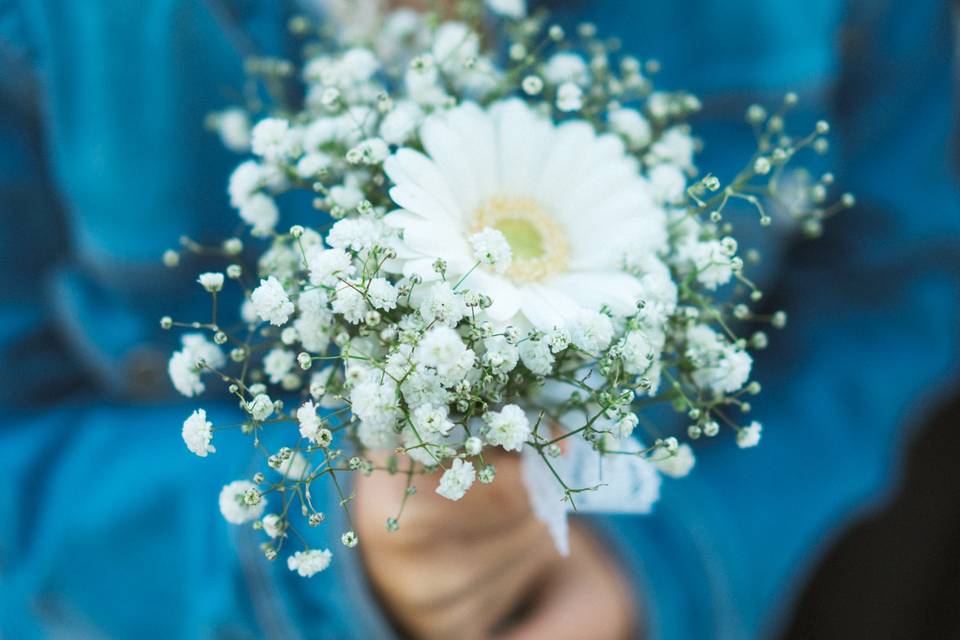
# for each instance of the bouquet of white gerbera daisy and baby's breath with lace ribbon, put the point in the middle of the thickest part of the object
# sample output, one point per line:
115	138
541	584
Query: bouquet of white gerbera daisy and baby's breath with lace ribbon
508	246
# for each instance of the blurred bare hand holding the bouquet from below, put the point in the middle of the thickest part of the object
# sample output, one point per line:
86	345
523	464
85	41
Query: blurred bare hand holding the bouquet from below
484	566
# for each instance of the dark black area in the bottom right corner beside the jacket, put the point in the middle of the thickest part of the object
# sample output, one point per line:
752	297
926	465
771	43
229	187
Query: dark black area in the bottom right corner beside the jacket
896	574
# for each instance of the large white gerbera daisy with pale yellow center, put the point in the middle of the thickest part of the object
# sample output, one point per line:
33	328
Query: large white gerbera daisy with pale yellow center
568	201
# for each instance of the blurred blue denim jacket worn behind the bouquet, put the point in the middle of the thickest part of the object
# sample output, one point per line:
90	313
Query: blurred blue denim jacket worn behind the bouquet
108	528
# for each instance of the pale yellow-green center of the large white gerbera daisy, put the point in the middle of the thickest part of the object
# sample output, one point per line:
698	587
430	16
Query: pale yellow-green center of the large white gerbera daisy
538	243
